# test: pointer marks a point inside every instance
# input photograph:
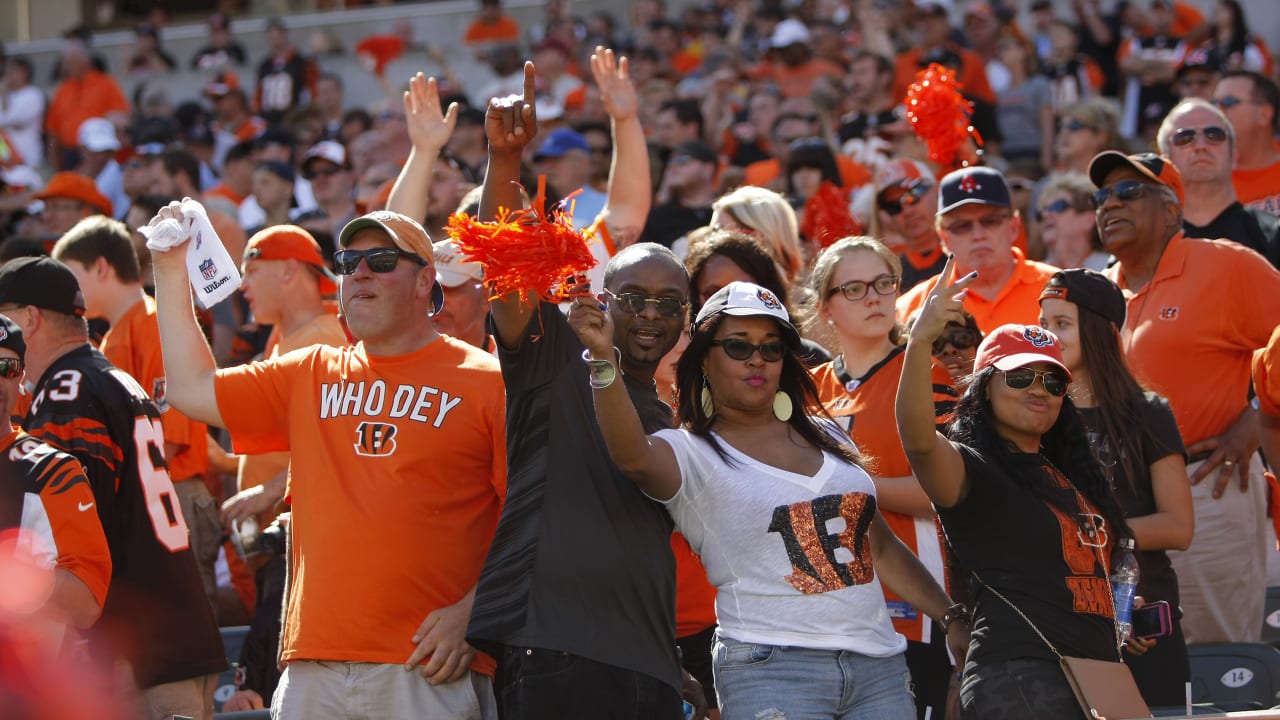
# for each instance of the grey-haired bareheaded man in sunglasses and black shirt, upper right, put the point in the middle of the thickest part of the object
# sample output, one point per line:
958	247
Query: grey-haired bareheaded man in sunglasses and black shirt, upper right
1200	140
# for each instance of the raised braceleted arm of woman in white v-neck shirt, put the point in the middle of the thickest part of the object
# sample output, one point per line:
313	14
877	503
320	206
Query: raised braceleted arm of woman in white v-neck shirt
648	462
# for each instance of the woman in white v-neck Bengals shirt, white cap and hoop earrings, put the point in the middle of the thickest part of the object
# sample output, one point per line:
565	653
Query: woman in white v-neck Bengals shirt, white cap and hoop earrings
781	513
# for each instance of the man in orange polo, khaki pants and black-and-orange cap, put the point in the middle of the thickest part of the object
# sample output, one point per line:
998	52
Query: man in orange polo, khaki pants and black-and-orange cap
1197	309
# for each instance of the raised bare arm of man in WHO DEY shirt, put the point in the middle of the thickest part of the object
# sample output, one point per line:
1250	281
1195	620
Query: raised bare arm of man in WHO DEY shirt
188	359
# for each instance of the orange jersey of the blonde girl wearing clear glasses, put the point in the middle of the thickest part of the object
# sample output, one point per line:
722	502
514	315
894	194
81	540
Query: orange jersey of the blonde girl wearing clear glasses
867	416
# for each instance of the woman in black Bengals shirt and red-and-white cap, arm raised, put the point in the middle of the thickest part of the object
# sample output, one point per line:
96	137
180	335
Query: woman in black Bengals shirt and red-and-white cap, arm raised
1025	507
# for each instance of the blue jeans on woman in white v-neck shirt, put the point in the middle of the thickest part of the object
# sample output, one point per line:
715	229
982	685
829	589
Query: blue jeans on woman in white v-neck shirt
761	682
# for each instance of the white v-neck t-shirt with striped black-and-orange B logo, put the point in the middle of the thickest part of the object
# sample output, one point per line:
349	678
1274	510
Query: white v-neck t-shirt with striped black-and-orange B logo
789	554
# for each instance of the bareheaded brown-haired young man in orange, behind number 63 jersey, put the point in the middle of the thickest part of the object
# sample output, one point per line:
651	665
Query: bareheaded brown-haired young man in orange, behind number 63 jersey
100	254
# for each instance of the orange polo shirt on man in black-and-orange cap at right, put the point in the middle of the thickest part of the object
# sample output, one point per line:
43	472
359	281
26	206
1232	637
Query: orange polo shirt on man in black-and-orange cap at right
1192	331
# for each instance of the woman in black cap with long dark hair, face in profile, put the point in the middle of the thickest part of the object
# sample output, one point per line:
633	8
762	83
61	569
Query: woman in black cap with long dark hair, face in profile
1136	440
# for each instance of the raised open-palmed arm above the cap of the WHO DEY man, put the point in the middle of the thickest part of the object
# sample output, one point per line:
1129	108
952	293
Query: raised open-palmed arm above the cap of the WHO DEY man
428	130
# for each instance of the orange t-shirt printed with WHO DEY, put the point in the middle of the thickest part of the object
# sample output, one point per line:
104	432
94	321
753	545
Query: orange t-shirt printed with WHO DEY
396	487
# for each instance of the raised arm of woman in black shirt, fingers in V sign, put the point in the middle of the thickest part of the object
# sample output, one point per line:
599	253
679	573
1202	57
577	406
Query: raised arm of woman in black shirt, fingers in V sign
938	463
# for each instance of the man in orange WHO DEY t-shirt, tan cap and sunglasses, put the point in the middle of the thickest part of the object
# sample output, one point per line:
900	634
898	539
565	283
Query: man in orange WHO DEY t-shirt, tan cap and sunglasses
396	487
